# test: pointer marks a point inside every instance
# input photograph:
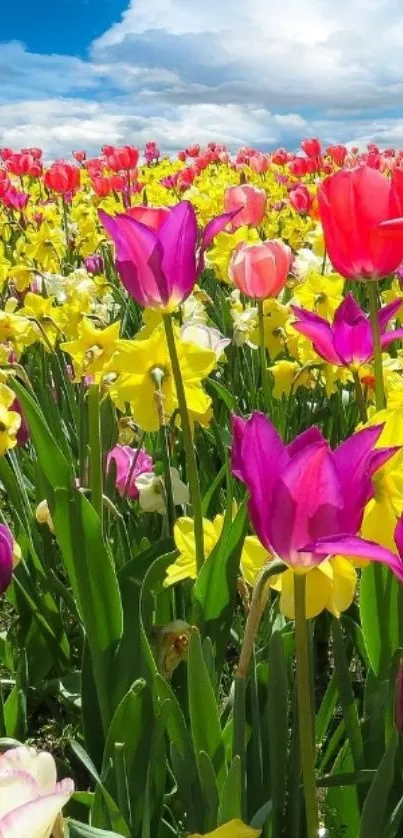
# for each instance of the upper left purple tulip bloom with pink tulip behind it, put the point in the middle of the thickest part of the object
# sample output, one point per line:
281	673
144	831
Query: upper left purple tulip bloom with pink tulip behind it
159	267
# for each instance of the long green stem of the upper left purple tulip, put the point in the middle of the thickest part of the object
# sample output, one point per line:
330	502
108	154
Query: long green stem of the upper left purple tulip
191	465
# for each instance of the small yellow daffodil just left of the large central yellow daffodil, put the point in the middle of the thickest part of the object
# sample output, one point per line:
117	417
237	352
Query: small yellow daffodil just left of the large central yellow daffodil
93	348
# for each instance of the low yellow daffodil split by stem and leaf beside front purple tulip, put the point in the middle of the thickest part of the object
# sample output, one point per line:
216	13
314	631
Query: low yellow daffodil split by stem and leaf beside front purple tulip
253	557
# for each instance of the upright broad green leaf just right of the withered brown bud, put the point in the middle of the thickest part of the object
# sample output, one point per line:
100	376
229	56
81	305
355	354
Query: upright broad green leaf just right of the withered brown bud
203	710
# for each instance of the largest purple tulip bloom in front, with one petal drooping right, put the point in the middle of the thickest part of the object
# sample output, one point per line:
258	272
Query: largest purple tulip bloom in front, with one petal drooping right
307	501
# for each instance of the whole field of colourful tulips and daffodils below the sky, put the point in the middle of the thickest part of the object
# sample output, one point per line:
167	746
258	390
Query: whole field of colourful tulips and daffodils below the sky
201	493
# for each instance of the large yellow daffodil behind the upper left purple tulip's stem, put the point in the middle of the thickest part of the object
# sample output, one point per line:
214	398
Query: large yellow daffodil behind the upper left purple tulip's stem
140	361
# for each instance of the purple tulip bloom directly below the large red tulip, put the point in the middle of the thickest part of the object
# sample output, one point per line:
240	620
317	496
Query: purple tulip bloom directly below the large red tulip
348	340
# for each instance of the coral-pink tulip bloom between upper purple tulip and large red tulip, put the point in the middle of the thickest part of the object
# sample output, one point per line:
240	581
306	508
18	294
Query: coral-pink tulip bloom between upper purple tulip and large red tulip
260	270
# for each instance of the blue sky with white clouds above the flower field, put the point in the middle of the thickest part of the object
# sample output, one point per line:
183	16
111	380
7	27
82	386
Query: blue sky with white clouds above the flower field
181	71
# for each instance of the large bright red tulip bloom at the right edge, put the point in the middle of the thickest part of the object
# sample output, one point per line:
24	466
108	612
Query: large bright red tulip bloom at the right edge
358	208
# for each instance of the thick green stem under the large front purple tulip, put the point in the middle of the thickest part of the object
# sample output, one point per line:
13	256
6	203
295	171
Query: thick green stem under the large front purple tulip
305	716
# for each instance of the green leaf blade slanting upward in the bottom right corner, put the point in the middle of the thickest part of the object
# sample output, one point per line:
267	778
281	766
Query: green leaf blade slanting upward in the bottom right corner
375	806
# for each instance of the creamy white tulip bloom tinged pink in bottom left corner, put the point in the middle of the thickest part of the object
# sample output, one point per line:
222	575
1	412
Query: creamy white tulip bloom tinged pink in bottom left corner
31	799
